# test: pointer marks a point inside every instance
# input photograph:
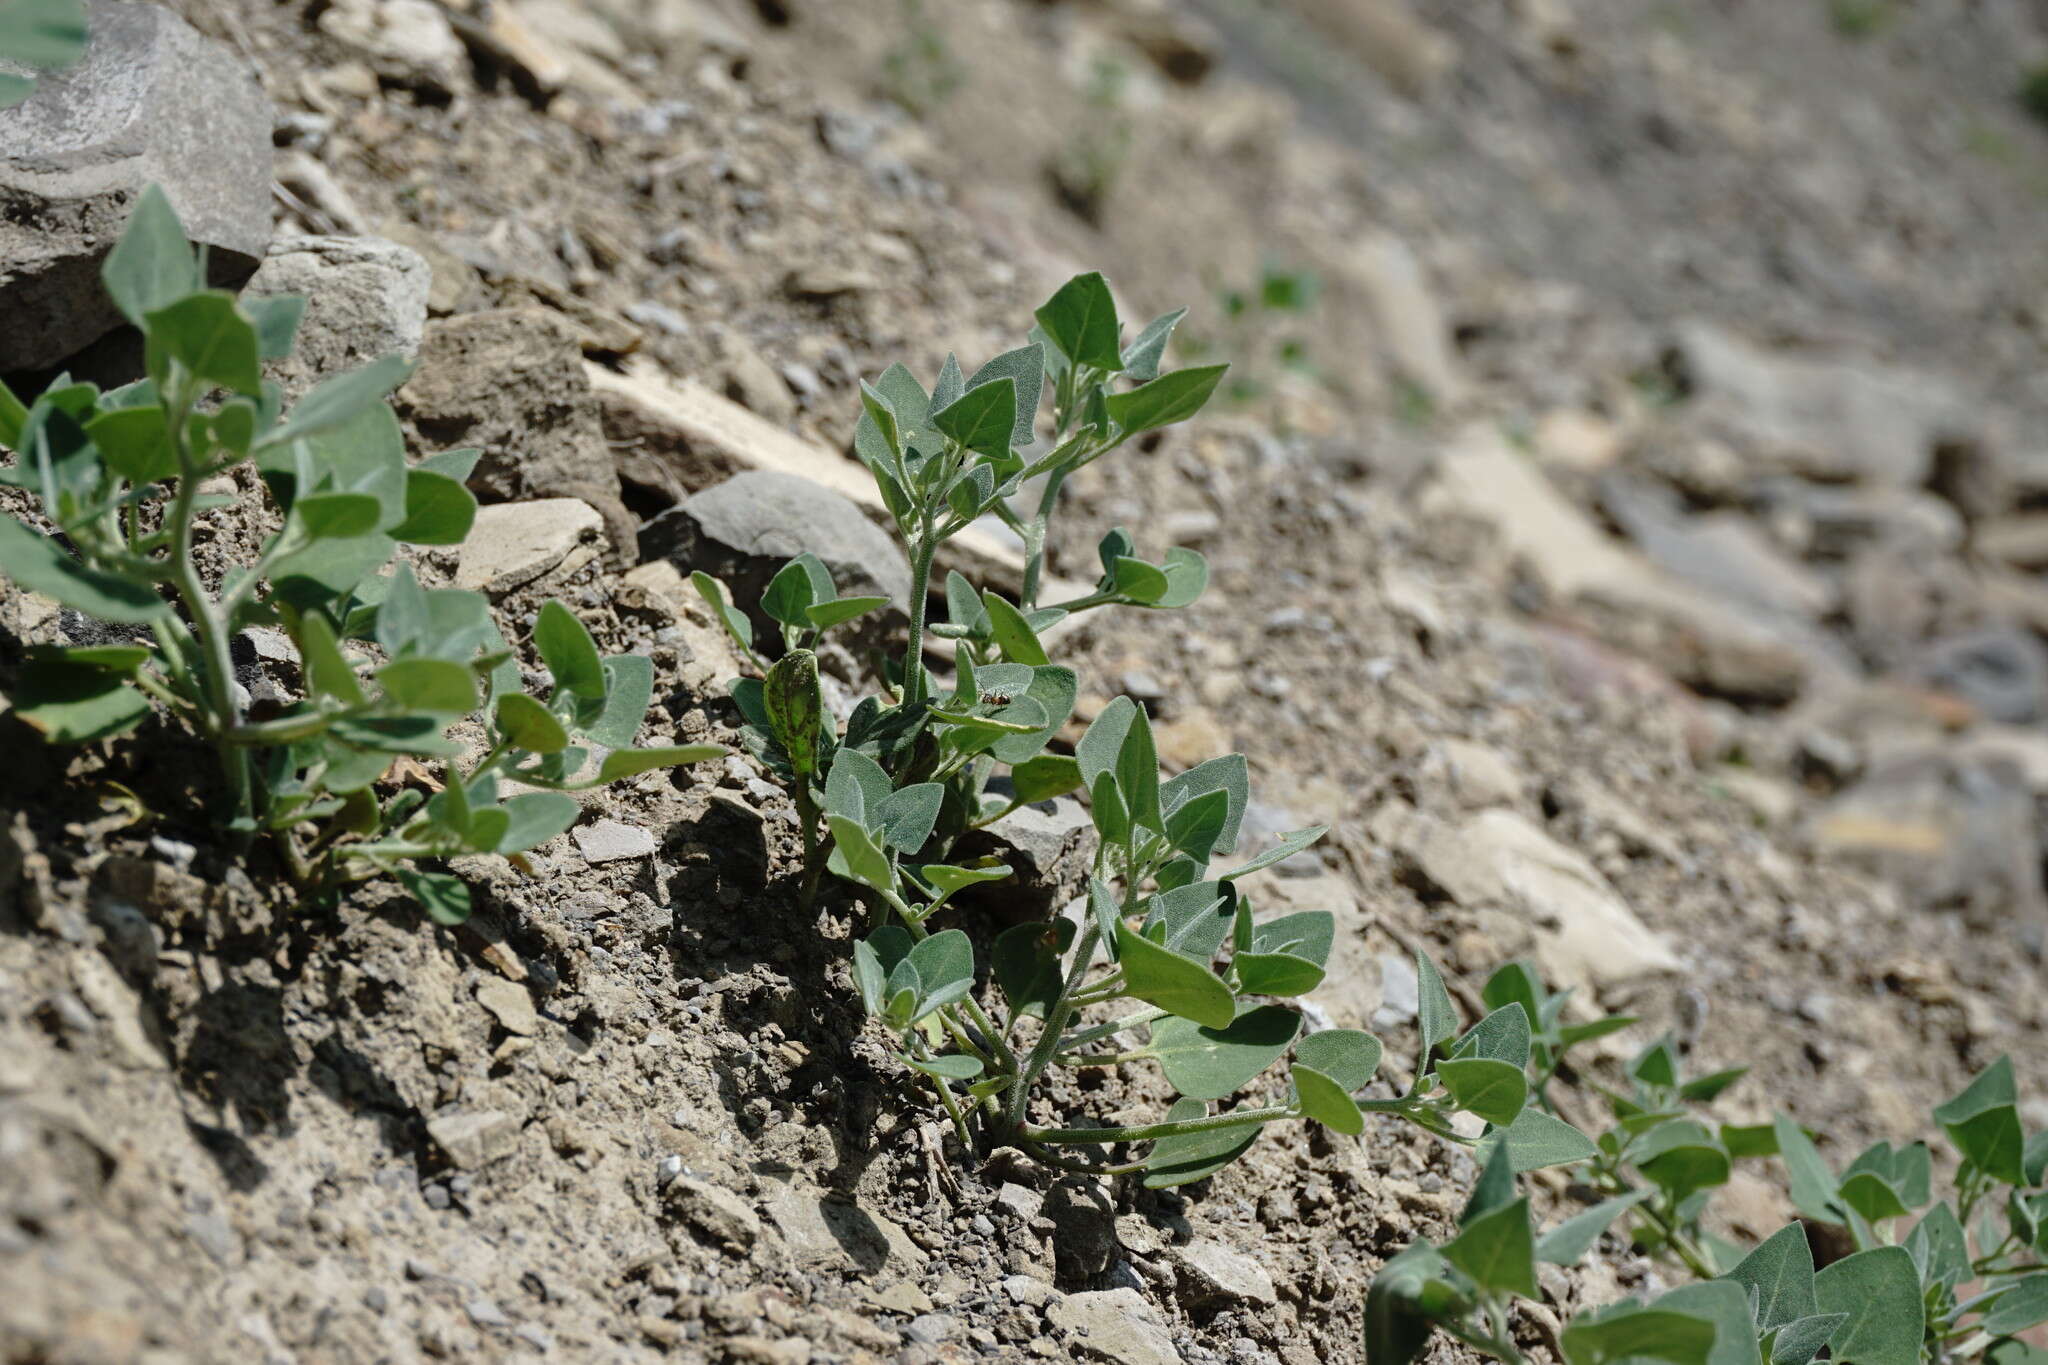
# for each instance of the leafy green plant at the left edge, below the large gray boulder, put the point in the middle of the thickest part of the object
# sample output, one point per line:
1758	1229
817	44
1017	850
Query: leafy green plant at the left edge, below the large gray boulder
124	480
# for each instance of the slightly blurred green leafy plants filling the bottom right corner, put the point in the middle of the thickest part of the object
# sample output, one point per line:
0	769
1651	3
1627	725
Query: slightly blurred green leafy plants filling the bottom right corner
1959	1284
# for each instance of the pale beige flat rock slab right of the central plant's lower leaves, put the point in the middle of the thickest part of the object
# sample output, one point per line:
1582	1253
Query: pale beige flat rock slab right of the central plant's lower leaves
1586	934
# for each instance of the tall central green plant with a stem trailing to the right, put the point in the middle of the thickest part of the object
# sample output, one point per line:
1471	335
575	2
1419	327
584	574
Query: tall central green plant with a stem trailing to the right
1166	944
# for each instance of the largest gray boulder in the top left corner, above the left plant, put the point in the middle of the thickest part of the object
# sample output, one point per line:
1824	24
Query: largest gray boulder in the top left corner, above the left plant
151	103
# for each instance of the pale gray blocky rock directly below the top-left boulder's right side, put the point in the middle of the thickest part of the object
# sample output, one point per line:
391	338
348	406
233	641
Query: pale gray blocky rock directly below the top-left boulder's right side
364	300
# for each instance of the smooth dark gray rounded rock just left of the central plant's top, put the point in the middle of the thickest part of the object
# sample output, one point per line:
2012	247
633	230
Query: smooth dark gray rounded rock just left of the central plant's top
755	523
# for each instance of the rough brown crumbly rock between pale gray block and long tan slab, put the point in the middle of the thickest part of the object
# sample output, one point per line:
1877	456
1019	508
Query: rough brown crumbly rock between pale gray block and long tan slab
513	384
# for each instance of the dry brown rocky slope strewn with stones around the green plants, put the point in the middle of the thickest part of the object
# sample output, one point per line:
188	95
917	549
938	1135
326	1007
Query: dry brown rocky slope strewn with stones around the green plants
1629	545
